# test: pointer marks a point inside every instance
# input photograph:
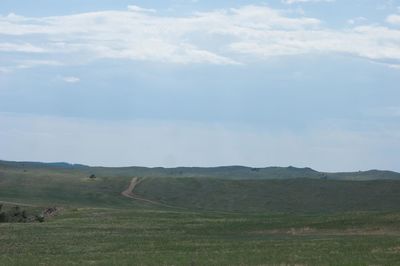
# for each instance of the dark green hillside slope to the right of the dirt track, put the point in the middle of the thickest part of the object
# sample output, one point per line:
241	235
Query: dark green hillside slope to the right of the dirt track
294	195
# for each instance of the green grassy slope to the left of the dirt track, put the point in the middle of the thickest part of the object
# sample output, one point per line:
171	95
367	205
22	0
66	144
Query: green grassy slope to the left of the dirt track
39	186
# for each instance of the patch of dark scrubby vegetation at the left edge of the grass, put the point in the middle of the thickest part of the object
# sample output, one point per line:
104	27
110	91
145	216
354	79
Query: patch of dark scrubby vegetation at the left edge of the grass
17	215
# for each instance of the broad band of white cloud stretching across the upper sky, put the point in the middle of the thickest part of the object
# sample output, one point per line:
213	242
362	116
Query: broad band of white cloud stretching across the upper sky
226	36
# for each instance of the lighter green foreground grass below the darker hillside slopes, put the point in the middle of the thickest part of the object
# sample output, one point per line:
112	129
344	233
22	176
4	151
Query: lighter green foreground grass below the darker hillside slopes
143	236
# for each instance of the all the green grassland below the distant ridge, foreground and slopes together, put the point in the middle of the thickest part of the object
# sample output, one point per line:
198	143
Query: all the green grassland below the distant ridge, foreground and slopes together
213	221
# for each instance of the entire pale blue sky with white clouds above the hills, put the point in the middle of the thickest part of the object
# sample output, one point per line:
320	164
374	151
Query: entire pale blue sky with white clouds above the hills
307	83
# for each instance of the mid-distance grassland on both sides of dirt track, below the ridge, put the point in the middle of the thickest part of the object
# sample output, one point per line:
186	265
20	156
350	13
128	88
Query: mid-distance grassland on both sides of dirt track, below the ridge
73	187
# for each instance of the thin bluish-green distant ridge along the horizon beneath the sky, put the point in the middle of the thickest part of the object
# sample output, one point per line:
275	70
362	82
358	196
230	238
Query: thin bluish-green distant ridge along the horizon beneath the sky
223	172
